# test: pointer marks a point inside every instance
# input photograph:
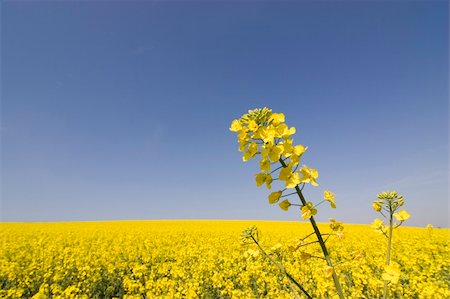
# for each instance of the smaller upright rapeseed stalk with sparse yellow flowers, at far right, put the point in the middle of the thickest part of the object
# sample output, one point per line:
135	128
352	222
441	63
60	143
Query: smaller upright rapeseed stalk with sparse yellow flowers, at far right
387	205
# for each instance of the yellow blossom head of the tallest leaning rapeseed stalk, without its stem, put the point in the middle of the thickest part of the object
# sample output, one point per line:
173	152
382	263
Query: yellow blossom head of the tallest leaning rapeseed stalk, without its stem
264	133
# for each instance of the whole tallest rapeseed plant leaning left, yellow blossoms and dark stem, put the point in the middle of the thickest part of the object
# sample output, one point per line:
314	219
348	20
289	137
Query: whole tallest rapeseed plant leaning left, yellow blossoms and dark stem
263	133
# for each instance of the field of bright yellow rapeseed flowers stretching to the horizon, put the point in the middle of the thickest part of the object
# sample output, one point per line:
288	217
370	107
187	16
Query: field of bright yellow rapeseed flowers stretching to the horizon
205	259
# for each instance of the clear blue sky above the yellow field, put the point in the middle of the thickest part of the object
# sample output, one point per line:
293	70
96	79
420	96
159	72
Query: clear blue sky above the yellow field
121	110
